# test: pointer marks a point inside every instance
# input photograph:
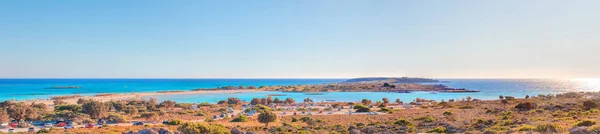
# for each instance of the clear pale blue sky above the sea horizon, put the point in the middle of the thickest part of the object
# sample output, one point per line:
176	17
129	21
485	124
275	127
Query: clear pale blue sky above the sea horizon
301	38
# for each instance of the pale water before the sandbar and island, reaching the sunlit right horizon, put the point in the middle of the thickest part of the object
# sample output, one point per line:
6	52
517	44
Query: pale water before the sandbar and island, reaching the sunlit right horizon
490	89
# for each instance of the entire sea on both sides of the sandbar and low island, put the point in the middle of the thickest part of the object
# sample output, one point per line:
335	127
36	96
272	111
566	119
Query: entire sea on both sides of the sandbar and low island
28	89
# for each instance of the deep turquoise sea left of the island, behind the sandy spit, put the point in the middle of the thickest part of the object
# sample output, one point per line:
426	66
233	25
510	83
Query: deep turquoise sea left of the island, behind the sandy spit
21	89
